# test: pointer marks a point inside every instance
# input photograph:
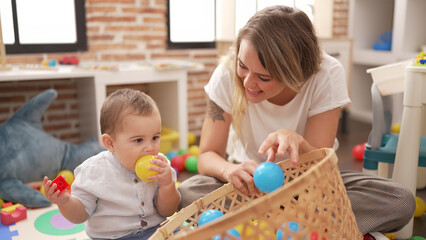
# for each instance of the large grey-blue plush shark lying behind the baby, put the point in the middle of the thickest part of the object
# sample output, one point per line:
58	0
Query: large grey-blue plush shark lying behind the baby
24	144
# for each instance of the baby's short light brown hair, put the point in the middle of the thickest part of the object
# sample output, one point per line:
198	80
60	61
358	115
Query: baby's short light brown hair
121	102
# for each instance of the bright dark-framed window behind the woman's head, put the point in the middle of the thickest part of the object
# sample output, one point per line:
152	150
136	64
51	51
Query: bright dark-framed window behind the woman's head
199	23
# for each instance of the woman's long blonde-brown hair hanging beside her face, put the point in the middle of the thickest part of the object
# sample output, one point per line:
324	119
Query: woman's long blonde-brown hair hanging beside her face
287	47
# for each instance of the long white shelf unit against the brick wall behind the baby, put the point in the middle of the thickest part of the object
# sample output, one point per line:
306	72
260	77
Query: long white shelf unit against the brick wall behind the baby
166	83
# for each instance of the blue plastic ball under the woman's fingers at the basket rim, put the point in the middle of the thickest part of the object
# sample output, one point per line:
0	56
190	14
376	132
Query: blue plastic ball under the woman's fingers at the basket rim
268	177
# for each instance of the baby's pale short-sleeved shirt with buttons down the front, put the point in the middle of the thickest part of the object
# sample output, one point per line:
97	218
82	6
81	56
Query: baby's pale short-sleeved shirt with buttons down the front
115	199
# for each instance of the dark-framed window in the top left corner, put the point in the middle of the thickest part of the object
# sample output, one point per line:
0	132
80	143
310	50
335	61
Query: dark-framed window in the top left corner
41	26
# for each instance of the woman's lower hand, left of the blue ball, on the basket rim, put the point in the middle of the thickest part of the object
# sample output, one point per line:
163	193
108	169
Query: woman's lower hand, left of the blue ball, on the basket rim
241	176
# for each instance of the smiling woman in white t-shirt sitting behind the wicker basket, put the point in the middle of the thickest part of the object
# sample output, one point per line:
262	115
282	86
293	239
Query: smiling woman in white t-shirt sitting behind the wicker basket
280	96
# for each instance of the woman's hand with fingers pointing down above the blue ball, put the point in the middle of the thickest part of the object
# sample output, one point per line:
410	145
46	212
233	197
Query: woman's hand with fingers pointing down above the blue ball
280	142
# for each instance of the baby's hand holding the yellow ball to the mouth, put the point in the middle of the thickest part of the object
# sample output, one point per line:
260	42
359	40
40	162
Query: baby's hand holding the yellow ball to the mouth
164	176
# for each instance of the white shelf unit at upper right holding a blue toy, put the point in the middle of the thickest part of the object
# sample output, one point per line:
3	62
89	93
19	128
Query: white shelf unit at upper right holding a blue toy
392	36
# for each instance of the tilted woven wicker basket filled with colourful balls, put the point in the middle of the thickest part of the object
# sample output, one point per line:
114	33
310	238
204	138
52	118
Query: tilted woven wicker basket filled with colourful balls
313	196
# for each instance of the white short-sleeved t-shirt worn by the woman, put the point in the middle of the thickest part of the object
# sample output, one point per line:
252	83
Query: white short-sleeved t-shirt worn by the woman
324	91
